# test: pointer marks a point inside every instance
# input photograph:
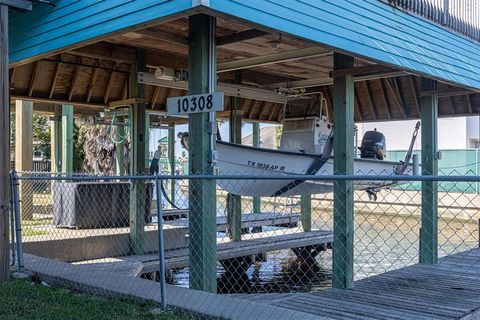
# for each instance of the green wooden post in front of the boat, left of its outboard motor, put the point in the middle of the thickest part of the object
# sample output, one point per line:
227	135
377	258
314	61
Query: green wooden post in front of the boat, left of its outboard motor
343	222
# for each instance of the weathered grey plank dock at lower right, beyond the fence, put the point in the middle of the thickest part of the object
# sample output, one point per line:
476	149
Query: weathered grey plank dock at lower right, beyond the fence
448	290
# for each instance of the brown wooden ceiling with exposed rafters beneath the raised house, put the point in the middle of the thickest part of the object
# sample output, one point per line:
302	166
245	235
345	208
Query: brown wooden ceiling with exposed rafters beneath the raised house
97	75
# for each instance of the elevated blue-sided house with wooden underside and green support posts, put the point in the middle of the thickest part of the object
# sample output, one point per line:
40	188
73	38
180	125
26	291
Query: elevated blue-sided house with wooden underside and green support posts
371	60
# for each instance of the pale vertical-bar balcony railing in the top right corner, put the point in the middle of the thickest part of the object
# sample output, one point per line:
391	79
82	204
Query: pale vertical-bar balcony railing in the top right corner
462	16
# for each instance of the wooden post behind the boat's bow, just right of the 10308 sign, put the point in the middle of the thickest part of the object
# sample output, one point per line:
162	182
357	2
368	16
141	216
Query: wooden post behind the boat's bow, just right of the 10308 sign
234	202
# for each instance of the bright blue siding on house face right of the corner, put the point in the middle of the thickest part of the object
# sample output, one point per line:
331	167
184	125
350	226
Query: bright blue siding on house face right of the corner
371	29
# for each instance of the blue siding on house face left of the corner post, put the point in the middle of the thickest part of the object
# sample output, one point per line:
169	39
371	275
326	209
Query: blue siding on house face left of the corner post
48	28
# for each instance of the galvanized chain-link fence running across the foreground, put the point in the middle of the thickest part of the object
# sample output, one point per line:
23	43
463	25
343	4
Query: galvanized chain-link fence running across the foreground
275	251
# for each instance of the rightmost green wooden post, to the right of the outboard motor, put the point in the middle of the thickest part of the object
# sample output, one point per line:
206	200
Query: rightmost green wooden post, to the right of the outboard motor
429	231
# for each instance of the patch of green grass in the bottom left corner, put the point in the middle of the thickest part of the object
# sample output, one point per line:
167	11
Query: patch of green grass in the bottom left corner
20	299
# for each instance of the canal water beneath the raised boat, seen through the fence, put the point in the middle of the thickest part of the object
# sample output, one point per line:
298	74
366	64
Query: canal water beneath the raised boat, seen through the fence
382	243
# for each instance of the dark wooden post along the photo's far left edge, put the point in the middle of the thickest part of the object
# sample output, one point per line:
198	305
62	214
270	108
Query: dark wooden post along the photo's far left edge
4	148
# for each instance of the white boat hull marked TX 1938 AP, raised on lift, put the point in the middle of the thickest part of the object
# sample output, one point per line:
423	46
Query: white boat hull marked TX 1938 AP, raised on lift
245	160
